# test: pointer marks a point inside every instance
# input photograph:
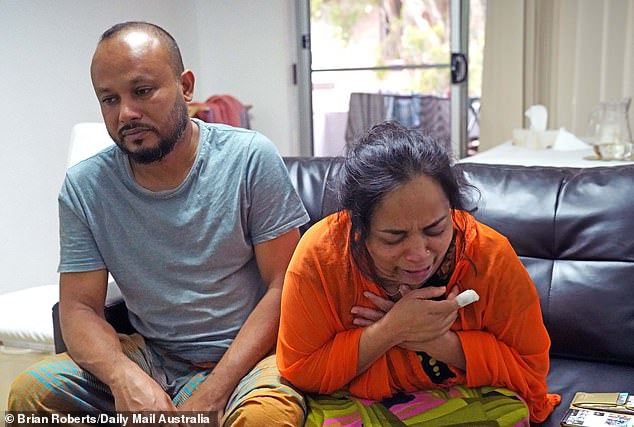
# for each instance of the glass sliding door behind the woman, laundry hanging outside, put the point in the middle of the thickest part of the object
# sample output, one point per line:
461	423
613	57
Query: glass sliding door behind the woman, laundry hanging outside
396	51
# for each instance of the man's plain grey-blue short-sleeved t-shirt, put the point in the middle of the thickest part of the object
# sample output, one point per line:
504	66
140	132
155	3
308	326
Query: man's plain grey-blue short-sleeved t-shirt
184	258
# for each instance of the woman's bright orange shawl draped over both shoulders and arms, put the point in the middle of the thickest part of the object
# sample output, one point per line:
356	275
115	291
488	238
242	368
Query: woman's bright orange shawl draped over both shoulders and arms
502	335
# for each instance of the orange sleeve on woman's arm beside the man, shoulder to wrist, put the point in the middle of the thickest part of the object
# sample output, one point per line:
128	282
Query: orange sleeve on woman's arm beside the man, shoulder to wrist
318	347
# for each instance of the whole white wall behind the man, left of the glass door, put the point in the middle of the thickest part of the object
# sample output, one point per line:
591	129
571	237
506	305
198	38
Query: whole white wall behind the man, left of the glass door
238	47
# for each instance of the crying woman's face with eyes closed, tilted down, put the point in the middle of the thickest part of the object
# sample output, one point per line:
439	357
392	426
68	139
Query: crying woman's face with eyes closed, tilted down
410	232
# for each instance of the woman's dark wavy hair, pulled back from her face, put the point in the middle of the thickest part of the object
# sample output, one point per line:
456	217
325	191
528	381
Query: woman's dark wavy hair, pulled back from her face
387	157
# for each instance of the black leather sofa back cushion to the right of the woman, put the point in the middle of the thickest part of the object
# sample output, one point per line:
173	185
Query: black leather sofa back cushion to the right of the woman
572	230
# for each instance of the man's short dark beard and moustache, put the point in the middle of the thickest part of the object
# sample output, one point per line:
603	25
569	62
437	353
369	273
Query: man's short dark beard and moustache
177	123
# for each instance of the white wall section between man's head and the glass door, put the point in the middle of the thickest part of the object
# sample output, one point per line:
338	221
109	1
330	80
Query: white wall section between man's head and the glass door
246	50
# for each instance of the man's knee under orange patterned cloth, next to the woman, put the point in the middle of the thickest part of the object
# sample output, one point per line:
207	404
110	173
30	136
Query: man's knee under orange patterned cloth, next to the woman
267	409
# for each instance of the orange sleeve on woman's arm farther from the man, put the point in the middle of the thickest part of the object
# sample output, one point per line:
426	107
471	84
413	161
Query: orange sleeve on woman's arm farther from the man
508	346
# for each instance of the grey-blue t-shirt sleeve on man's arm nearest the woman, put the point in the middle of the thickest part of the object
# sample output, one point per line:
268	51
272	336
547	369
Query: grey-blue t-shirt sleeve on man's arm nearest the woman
275	206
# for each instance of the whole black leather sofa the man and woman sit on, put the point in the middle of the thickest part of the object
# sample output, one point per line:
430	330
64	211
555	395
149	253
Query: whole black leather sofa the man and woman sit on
573	230
